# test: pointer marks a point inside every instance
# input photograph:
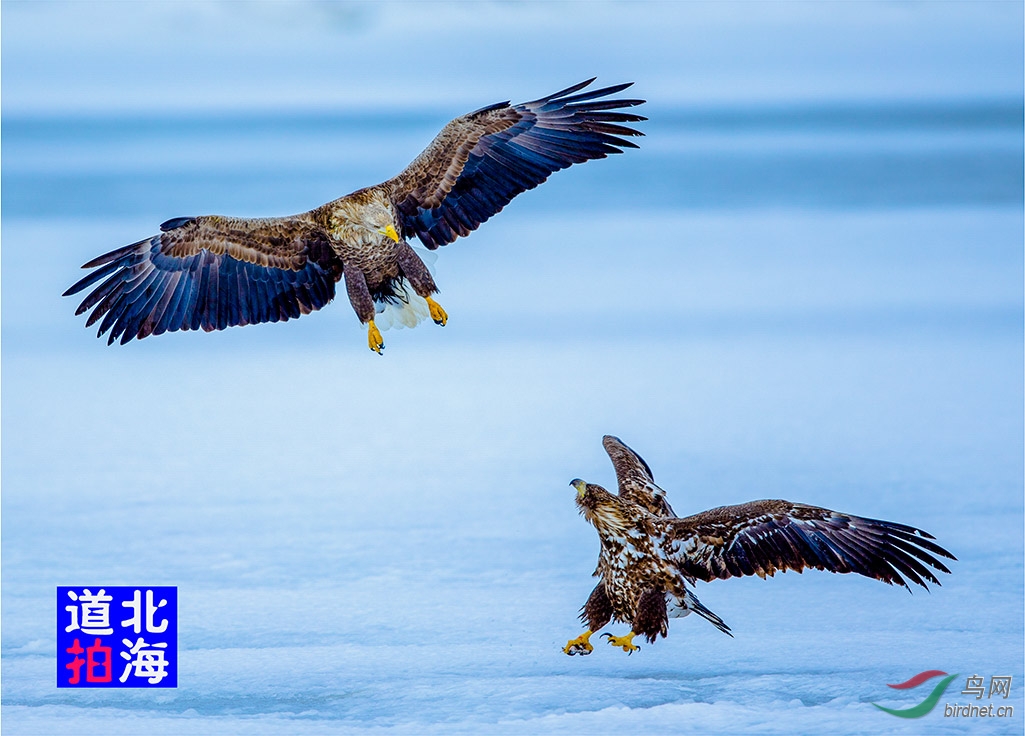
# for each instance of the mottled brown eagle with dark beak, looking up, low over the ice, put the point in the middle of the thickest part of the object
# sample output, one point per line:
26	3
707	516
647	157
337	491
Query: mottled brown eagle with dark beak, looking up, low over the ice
649	556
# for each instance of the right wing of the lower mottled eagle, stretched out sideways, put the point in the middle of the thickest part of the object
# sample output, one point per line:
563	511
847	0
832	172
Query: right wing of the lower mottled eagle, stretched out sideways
761	538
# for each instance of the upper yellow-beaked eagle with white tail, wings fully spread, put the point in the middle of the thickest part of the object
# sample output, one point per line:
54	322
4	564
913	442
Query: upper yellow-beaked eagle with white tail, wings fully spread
213	272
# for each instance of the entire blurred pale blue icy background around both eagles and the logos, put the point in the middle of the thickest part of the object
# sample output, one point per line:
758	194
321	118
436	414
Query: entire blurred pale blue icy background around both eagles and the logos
806	284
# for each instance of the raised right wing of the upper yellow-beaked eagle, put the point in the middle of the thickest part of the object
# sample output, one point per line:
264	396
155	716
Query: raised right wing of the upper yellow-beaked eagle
479	162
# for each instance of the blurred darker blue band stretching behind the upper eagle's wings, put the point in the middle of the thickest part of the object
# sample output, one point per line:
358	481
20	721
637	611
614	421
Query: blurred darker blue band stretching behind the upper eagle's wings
894	155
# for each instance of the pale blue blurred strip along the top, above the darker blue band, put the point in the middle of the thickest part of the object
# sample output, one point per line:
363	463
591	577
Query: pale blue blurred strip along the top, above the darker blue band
108	57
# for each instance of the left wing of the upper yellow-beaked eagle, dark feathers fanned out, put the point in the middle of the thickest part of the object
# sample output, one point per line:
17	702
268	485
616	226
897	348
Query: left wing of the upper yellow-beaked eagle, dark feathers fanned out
211	273
